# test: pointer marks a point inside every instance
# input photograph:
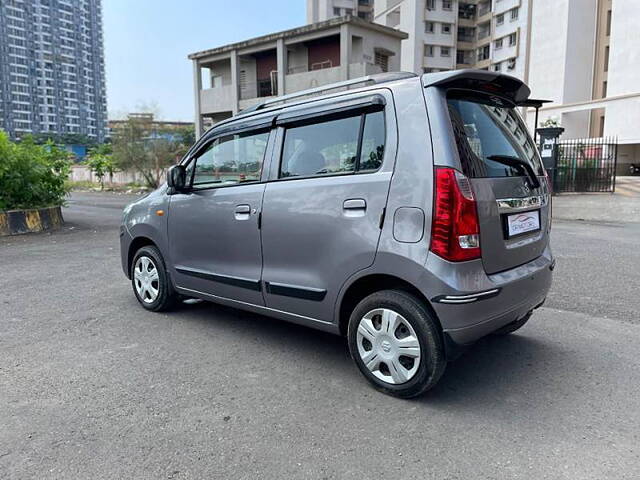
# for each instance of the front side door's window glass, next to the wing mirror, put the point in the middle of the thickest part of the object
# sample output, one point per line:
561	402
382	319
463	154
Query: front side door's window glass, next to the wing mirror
231	159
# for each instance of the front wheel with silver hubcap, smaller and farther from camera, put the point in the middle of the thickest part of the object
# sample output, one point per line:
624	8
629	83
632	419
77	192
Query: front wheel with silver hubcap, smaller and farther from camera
156	279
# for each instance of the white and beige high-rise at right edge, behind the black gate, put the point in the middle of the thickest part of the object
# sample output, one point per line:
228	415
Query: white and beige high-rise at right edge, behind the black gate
584	57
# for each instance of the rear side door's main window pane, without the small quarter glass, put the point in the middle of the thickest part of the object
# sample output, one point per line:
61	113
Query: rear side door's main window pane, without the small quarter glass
322	148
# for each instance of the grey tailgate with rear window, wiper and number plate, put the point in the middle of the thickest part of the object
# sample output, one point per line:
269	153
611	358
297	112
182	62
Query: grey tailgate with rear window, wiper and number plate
513	209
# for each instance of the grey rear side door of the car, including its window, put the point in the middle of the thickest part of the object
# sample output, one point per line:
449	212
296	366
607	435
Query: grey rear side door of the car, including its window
324	202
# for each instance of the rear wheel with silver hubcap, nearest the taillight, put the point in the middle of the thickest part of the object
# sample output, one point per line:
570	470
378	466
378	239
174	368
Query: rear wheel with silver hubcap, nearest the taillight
395	374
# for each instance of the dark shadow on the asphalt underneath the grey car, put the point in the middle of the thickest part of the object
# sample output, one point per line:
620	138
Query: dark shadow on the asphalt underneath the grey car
497	369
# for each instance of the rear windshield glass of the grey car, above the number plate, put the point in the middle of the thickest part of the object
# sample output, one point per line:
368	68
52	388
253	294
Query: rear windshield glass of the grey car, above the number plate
483	129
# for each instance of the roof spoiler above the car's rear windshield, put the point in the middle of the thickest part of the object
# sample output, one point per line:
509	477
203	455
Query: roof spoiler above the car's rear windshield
506	87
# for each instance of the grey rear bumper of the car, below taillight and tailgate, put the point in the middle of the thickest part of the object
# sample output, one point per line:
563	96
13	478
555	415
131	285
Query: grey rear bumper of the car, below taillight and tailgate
473	304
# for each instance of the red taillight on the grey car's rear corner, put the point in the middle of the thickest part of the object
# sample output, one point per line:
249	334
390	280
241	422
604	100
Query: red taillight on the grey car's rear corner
455	233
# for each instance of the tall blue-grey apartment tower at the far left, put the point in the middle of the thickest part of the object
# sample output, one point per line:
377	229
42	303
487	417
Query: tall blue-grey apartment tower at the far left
52	68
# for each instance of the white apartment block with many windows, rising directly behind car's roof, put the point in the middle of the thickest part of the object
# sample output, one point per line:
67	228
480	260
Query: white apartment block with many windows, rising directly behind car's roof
450	34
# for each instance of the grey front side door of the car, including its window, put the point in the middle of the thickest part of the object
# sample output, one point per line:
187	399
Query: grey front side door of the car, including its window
214	236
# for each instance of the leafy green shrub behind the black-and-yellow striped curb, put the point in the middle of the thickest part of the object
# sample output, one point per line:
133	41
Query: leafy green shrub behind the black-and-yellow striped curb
32	176
